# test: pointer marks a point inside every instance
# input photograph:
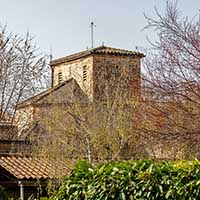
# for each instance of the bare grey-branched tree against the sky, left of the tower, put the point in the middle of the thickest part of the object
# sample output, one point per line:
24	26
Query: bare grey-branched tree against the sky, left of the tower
23	72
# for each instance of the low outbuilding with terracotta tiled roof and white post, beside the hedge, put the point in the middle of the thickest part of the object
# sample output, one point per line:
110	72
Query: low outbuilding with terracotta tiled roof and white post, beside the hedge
23	176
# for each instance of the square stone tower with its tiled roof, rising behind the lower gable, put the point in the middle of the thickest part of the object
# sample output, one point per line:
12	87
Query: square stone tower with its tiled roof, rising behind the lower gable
101	71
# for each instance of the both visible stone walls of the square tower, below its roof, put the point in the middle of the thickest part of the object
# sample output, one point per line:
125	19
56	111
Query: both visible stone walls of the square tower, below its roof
102	73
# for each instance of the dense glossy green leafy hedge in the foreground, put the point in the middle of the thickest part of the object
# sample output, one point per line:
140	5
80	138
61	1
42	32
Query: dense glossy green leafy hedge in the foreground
138	180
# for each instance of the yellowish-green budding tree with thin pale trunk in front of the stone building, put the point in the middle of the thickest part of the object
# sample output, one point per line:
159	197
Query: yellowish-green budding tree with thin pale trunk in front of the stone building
97	130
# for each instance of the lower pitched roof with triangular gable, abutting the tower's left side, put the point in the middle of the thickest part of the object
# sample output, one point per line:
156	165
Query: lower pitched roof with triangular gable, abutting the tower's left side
72	91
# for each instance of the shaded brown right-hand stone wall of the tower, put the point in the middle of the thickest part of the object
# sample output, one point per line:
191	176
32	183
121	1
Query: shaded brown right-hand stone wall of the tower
118	74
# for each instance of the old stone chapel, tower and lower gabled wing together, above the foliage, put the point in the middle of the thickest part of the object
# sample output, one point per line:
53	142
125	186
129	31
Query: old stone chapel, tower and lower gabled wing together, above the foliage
95	74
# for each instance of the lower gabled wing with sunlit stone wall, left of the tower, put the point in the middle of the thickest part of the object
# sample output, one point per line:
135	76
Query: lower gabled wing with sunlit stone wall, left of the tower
62	95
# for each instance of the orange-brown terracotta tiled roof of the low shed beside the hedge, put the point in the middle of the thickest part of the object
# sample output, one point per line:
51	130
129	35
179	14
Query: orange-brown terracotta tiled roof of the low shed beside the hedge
33	168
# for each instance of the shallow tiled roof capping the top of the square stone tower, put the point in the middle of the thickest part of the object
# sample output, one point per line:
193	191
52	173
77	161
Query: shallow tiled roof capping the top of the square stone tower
97	50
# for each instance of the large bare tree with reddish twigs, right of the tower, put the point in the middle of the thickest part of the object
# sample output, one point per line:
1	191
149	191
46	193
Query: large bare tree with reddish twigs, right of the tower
172	76
